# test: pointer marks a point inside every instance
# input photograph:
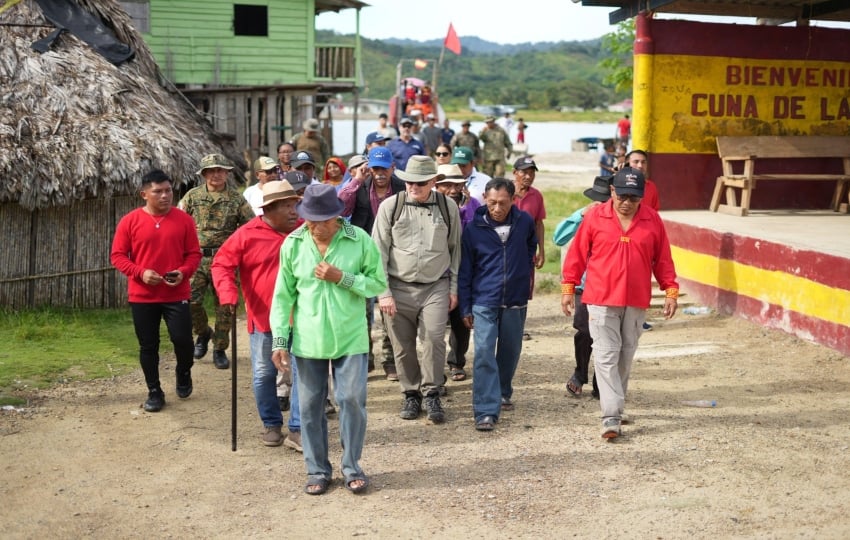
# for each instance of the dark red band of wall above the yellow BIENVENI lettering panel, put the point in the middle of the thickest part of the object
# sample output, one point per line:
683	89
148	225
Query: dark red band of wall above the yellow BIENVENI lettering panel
775	42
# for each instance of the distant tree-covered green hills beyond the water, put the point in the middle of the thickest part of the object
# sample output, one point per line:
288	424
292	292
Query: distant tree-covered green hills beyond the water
541	75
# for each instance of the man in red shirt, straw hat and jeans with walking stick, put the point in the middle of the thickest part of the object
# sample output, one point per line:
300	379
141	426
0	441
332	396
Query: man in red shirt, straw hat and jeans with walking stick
253	251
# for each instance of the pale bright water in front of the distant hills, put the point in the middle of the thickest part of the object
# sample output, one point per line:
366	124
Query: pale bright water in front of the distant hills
540	137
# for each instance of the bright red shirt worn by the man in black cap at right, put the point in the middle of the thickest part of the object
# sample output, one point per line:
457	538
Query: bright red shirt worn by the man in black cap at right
620	265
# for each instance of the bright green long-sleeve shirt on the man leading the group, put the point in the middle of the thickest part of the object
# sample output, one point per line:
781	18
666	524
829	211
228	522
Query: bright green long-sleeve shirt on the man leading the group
328	319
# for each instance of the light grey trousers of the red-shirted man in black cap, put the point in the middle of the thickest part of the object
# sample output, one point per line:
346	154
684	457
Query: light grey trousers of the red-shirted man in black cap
615	332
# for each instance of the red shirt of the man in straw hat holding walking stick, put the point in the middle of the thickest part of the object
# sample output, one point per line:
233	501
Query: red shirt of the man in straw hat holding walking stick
254	249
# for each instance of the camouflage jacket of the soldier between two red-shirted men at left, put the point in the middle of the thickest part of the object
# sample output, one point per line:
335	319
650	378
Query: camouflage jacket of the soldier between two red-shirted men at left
217	215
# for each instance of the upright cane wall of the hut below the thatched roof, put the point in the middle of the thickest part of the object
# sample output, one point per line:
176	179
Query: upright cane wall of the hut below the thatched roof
60	256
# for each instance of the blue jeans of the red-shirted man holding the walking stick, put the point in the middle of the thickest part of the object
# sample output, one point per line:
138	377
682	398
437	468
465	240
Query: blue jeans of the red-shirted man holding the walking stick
265	384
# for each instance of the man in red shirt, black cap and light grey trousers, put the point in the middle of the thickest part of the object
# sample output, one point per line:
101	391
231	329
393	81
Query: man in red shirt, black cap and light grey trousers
620	244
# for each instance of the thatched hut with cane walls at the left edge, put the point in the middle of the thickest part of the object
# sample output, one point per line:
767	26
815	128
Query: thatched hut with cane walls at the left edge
77	134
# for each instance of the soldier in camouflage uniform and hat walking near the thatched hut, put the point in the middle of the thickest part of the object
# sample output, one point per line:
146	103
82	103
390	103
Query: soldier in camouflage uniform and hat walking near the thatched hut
218	210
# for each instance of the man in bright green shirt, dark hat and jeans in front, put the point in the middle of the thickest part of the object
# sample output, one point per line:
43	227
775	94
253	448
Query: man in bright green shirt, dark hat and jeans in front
328	268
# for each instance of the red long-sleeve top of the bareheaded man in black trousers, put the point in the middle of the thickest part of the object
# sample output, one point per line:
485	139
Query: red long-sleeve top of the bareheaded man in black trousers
164	243
